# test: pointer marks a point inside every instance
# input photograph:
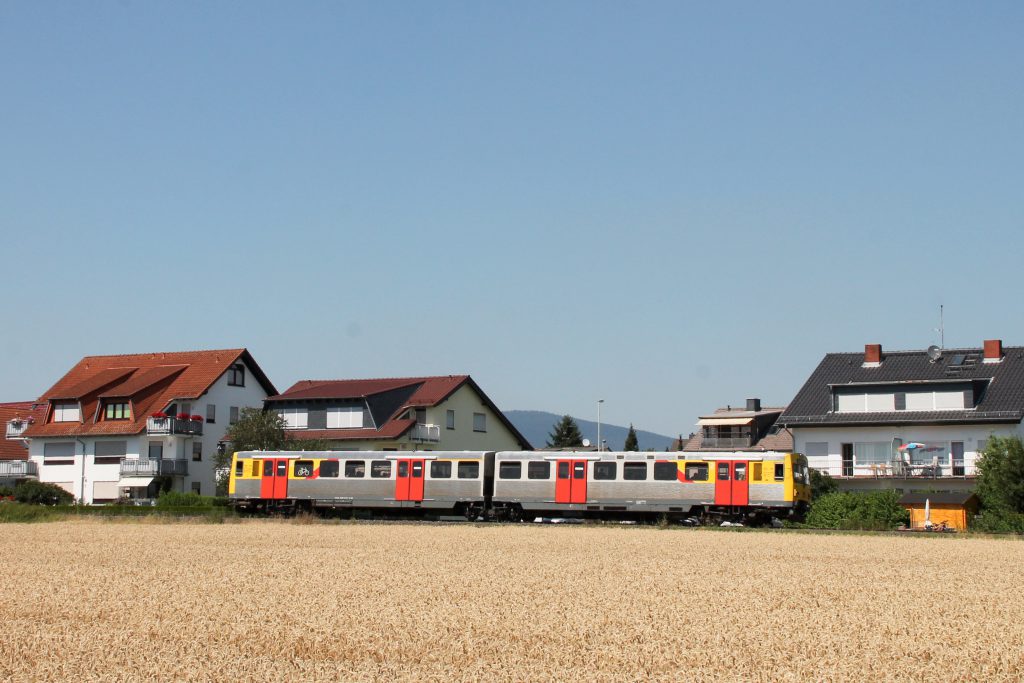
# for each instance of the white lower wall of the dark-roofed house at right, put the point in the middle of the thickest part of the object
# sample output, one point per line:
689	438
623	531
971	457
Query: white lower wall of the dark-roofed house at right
971	436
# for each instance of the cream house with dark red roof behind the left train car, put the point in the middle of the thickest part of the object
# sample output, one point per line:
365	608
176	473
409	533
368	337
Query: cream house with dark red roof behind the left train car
449	413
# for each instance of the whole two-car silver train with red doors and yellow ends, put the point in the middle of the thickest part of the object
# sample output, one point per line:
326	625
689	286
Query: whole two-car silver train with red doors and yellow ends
519	485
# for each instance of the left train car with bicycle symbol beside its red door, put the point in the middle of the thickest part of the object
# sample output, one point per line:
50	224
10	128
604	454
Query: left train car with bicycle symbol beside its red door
441	482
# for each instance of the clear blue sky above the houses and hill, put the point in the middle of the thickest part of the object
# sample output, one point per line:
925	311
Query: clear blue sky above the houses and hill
670	206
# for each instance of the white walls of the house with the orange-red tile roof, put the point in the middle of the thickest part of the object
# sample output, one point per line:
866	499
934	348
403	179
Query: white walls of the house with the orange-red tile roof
91	483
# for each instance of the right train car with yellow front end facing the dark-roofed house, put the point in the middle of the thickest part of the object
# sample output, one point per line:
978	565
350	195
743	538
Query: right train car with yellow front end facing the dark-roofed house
680	485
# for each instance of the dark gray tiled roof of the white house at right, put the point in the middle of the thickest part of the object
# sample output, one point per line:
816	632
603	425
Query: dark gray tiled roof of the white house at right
999	388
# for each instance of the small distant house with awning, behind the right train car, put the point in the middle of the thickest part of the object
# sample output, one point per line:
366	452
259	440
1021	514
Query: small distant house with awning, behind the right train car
749	429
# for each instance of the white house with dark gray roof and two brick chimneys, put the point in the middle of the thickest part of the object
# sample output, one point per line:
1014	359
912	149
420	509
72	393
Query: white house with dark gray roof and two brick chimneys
910	420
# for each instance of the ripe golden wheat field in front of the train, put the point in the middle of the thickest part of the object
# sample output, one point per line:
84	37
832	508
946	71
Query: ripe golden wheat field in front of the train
279	602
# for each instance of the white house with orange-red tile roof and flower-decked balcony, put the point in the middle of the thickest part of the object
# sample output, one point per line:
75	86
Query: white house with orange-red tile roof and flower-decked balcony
118	426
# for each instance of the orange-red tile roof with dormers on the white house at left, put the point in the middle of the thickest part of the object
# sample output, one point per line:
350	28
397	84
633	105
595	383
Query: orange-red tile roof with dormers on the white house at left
150	381
